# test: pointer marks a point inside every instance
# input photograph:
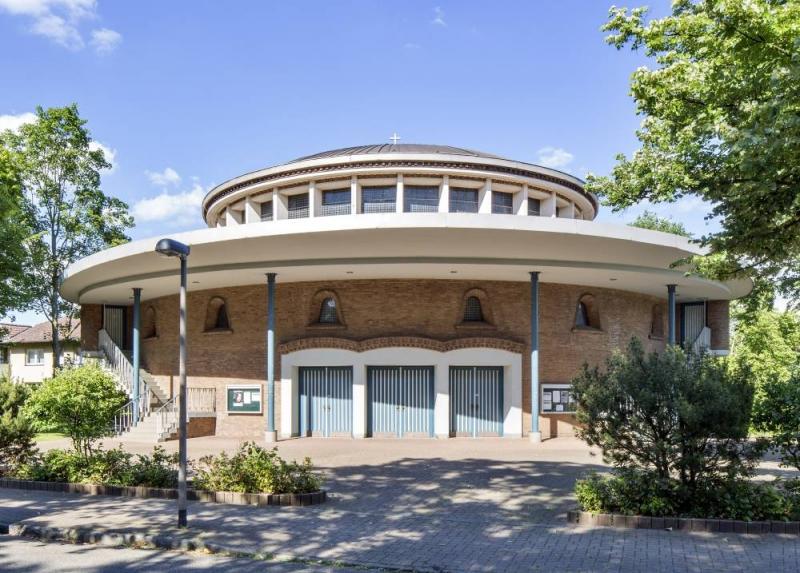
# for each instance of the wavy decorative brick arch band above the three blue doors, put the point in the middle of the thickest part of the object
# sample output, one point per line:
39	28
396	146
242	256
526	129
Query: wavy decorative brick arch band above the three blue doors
401	342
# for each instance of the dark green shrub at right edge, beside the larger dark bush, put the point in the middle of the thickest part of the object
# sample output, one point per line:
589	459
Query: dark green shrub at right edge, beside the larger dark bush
778	414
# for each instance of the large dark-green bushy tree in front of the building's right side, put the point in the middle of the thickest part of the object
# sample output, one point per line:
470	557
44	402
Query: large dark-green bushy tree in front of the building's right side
676	416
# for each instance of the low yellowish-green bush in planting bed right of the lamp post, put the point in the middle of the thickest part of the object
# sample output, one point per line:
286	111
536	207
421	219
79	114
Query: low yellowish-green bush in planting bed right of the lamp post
253	469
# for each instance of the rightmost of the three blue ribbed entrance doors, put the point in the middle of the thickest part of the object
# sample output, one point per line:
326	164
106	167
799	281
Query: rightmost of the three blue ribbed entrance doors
476	401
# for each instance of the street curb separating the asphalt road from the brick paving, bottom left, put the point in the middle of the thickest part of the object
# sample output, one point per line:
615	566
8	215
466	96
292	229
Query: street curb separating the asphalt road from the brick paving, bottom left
170	542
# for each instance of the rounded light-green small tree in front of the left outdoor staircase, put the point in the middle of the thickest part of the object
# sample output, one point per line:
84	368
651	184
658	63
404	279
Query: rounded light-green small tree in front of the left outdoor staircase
80	402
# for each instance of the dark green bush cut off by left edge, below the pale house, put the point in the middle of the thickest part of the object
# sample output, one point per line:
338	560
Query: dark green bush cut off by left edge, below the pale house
16	432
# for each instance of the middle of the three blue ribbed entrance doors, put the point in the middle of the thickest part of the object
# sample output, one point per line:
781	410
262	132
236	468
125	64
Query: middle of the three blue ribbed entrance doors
400	401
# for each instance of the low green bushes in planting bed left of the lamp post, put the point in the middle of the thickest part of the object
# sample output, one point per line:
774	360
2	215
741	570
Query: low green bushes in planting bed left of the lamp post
111	467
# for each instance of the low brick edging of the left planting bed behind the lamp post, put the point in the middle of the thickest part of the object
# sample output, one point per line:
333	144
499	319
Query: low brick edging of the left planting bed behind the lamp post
226	497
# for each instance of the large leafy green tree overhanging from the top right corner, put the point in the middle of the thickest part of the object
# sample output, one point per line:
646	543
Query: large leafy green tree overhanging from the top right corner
720	121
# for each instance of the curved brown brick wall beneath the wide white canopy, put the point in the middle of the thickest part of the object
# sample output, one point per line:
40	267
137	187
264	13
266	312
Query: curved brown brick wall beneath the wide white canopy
406	313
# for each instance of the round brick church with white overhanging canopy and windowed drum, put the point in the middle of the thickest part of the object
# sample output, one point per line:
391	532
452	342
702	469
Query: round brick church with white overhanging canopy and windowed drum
418	291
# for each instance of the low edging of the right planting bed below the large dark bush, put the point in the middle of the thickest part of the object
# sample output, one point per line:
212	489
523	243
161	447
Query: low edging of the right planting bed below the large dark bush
589	519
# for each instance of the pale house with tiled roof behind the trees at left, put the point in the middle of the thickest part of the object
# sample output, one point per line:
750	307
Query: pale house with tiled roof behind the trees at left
28	350
